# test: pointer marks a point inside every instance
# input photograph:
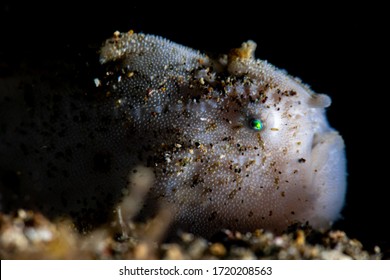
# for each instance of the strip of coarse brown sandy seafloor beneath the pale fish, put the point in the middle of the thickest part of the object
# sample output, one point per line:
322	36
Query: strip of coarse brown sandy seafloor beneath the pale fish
28	235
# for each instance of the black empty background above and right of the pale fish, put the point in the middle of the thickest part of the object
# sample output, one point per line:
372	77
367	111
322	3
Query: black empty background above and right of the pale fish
336	50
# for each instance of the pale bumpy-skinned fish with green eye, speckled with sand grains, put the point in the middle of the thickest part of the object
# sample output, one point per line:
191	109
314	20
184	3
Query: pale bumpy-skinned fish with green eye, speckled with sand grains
232	141
